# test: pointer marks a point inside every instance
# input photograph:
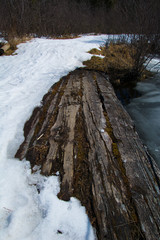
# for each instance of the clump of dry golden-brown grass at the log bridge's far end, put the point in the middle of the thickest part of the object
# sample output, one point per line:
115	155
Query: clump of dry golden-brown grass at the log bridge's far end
118	62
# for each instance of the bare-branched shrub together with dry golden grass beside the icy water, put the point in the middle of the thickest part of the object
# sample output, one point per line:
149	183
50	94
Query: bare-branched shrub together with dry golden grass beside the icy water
126	58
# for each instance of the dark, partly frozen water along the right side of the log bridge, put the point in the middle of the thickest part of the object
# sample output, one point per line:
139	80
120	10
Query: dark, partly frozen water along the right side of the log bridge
144	108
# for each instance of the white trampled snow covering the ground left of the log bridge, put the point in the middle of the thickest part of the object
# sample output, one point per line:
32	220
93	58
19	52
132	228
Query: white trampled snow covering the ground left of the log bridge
26	214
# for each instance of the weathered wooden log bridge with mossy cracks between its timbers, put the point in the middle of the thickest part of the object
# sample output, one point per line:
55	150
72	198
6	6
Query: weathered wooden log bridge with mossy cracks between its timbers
82	131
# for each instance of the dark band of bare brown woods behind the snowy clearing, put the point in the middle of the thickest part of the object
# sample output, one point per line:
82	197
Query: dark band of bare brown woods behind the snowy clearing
63	17
